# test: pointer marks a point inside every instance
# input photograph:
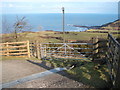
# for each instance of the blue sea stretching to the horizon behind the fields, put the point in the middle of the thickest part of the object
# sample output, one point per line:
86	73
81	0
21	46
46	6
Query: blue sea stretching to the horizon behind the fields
53	21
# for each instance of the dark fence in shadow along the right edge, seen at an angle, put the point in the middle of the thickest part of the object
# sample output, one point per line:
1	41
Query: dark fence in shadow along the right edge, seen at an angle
113	55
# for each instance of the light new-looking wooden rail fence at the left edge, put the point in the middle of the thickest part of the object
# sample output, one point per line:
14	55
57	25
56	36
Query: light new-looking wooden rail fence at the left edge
15	49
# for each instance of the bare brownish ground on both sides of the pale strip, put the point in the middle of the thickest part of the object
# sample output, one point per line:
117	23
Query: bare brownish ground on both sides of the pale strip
16	69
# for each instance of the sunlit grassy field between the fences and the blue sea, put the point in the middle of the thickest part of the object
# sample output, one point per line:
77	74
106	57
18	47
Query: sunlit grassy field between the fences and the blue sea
50	36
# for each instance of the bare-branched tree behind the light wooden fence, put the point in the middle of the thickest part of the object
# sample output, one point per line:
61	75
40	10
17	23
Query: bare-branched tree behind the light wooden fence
19	26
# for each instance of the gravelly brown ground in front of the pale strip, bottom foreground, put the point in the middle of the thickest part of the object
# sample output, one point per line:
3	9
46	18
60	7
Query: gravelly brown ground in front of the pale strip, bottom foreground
51	81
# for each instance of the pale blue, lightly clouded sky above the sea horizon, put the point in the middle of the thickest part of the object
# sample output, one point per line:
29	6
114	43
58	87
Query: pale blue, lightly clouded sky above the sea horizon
54	6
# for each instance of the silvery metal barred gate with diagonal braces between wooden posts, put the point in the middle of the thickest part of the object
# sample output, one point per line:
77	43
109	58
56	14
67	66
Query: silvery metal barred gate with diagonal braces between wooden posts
81	51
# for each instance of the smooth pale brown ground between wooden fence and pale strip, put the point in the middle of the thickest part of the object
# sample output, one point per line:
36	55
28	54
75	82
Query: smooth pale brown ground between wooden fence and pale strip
16	69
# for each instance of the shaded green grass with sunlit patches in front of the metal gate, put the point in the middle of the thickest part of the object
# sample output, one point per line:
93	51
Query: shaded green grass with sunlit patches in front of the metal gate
85	72
